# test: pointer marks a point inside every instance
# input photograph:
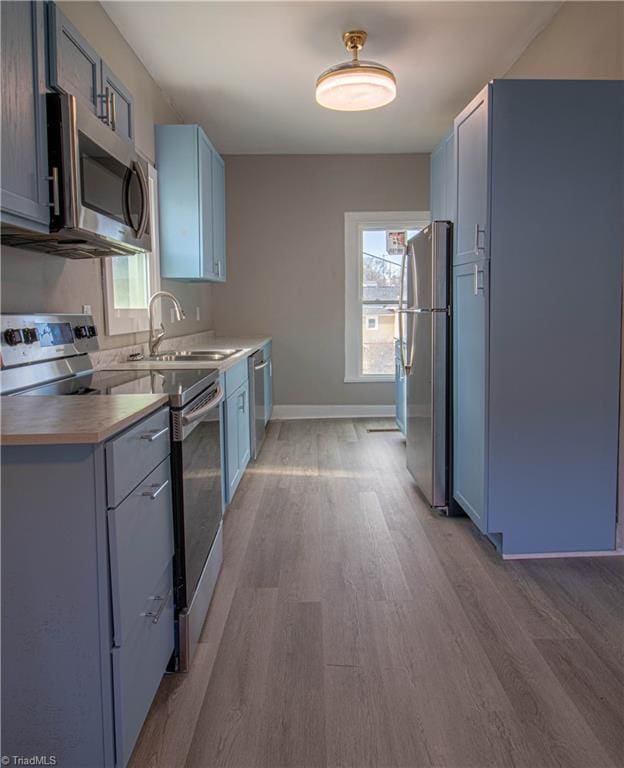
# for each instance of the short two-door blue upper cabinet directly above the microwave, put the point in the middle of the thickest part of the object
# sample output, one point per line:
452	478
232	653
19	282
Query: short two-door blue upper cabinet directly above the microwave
75	67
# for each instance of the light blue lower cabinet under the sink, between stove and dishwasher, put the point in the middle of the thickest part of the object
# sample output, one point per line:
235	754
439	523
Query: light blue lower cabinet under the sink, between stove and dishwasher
237	436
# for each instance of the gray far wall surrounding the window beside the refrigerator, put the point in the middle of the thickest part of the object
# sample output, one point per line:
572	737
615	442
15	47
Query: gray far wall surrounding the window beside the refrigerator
285	229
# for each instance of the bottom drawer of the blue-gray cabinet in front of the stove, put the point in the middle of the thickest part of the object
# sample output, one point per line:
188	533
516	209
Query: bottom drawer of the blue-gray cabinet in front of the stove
139	665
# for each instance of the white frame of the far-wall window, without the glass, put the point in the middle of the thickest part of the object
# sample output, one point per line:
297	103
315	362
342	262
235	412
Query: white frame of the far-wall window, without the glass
355	223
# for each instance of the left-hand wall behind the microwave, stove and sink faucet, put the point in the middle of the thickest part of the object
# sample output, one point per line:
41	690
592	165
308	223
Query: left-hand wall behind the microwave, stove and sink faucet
36	282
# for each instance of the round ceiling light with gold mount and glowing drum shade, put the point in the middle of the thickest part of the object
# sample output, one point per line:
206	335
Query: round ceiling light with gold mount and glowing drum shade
355	85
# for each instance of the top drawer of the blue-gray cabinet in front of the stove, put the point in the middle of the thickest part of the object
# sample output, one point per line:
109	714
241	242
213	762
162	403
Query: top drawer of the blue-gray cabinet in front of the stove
134	454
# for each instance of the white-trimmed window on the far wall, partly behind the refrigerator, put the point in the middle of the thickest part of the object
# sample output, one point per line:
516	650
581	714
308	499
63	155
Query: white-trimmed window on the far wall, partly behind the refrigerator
374	247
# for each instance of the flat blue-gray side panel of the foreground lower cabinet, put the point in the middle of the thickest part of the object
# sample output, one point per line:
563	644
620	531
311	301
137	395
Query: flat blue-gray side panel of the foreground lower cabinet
56	678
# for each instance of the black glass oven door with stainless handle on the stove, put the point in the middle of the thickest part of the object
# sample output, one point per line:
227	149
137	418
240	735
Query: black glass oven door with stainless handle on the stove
196	455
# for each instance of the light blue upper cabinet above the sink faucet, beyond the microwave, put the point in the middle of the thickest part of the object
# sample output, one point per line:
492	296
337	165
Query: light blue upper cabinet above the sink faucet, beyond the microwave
191	203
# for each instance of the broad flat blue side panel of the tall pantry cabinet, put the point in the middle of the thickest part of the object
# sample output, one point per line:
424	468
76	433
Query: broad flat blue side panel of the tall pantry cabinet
556	276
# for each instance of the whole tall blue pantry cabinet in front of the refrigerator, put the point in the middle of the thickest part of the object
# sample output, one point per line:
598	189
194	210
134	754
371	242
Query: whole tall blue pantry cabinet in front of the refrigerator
538	241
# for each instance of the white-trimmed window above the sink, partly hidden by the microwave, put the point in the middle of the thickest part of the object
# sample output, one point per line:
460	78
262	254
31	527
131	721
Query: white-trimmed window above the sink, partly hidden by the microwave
129	281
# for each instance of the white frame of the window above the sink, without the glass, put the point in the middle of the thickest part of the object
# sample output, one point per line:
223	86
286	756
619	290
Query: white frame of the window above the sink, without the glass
120	321
